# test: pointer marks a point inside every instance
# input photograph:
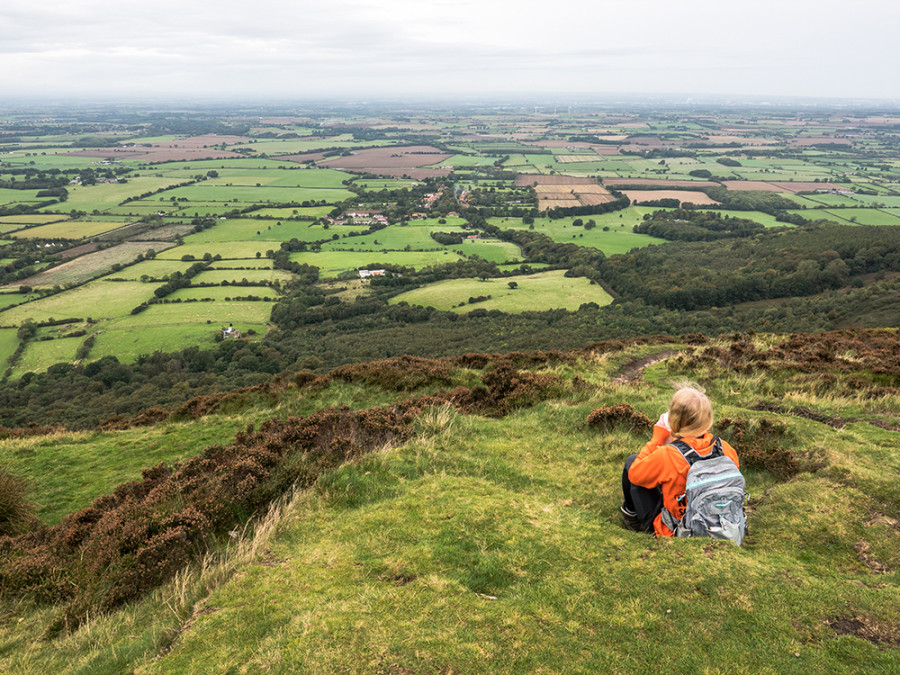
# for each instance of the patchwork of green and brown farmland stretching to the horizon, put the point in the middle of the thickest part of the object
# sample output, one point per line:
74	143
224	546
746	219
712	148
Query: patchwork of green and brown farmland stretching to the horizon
238	197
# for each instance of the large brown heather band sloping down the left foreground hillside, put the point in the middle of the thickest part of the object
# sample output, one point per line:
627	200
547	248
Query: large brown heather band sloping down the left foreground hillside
139	536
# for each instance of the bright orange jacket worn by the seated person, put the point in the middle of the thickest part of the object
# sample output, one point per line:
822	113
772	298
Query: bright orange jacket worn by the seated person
664	466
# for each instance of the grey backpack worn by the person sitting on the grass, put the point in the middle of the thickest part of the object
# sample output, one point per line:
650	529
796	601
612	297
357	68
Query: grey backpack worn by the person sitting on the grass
713	497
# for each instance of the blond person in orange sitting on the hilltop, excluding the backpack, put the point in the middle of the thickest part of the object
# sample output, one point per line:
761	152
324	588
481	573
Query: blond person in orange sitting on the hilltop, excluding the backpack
655	478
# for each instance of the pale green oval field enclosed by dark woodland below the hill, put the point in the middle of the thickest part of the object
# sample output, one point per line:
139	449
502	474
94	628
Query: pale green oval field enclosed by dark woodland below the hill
535	292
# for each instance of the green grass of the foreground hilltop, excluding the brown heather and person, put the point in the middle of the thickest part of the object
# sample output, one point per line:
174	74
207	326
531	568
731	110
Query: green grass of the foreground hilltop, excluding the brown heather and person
495	545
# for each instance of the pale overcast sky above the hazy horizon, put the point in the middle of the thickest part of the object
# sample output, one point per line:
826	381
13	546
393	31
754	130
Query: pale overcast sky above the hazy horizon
355	49
